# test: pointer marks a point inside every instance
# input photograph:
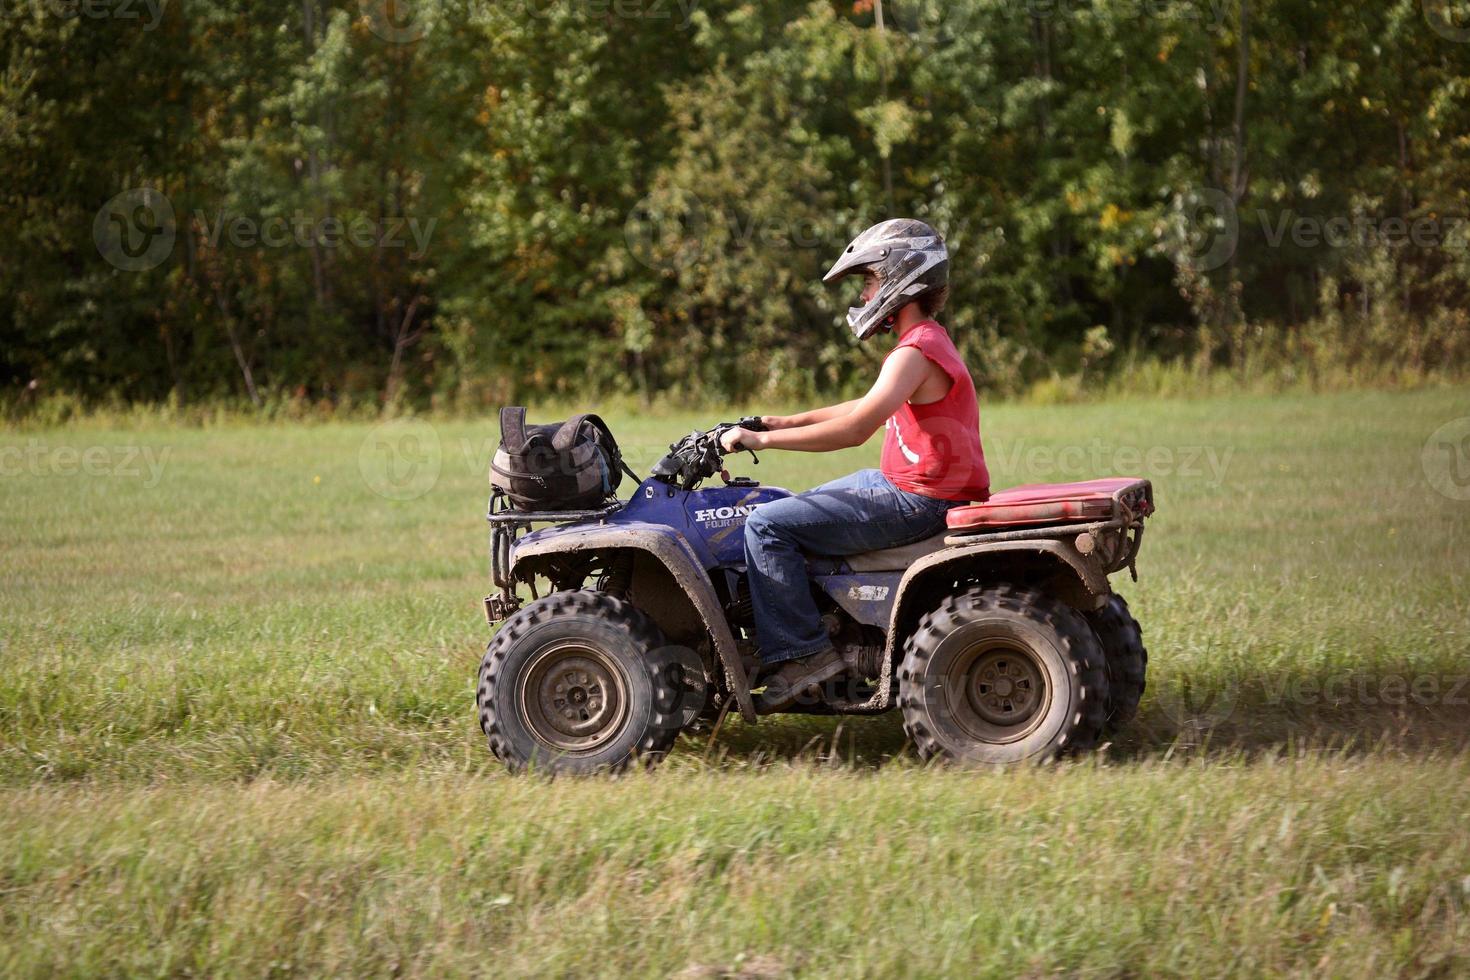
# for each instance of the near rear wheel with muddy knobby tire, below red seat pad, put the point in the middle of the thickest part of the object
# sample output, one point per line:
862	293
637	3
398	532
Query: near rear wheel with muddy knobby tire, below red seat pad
1003	675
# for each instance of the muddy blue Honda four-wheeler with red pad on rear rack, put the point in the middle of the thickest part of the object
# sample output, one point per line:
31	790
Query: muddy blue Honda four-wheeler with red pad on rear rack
999	640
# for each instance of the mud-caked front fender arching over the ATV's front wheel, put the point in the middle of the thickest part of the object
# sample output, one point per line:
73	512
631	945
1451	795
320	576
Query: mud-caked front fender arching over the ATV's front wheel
674	555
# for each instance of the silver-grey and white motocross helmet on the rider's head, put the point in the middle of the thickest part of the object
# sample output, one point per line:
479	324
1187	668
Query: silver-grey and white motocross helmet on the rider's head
909	259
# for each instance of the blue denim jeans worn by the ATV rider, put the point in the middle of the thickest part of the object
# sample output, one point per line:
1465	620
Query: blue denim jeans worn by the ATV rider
858	514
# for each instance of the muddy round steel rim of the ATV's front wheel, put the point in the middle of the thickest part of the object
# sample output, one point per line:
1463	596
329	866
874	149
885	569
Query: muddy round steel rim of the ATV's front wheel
574	697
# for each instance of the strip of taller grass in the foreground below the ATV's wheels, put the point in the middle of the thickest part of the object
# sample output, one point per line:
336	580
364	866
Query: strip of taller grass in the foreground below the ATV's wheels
1294	865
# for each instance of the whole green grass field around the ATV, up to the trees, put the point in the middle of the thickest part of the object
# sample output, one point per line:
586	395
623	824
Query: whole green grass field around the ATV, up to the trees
237	729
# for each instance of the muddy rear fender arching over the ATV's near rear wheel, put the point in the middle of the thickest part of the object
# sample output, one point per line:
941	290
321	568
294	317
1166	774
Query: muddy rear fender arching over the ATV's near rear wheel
1053	565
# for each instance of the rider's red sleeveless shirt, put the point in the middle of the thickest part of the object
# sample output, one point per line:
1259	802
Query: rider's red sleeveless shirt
936	450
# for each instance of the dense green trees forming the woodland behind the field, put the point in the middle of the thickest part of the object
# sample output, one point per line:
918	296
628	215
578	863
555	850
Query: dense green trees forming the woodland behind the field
642	198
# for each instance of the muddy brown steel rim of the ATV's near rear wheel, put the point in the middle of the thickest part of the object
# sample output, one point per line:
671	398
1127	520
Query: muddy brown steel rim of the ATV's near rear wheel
997	691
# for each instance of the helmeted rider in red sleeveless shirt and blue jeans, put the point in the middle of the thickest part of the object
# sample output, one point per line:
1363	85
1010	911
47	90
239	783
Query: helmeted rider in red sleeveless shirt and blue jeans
931	461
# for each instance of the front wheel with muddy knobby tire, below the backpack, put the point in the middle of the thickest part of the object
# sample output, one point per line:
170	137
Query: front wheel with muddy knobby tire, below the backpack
580	682
